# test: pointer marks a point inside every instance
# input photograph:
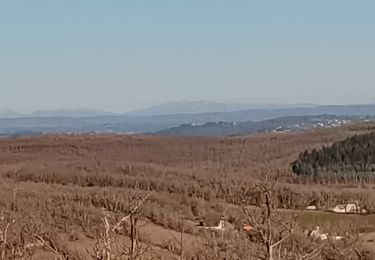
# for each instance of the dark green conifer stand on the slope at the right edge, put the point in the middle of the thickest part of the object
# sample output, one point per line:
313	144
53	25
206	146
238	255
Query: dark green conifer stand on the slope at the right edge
351	160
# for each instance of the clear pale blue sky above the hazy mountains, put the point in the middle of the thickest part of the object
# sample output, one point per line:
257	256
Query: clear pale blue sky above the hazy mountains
123	55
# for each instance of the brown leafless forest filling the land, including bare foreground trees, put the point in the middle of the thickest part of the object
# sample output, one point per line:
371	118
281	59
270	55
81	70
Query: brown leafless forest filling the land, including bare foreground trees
143	197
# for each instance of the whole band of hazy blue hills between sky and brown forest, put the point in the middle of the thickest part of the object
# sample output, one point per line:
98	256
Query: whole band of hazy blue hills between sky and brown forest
69	121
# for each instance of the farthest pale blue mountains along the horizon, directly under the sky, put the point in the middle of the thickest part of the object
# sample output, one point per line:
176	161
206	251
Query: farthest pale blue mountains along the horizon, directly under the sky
206	111
